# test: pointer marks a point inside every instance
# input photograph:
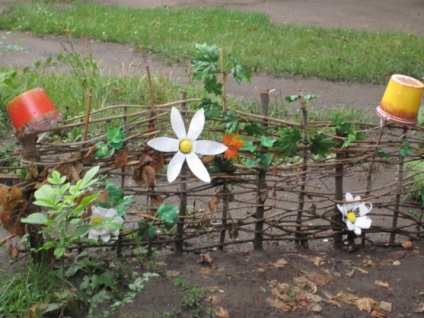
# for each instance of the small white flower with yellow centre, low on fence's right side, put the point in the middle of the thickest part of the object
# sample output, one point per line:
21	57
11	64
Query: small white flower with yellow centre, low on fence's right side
354	213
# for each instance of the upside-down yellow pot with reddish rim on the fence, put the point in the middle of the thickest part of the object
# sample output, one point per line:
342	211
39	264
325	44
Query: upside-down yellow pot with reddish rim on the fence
401	100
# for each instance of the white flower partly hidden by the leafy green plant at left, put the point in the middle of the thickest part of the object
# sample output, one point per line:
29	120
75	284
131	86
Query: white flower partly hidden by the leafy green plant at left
97	215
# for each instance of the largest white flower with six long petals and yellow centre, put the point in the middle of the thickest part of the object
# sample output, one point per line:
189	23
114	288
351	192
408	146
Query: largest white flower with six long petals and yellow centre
187	146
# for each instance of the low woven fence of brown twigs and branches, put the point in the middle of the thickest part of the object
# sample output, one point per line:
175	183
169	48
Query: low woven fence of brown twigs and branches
294	200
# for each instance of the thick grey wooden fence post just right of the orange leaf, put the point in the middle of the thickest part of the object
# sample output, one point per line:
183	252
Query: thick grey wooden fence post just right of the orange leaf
261	187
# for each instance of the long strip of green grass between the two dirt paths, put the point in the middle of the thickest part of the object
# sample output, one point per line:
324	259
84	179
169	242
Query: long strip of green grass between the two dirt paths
332	54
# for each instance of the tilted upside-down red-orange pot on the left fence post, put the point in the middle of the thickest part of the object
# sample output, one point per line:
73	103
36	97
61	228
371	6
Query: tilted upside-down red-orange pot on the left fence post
32	111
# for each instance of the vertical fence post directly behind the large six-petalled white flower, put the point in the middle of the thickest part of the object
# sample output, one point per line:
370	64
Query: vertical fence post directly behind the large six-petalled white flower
179	244
